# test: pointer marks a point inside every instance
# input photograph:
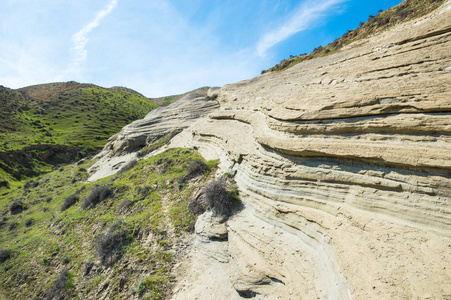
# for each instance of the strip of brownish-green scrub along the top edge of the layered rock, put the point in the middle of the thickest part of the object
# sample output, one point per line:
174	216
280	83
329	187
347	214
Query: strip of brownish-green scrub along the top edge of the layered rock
407	10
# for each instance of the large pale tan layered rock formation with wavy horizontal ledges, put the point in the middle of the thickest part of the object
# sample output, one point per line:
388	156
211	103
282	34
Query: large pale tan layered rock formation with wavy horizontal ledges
344	168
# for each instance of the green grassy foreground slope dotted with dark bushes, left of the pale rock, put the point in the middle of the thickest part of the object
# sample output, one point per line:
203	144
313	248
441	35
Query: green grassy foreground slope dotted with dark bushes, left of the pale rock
155	219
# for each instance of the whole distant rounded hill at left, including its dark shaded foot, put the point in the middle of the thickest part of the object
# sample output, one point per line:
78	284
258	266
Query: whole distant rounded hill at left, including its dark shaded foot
76	119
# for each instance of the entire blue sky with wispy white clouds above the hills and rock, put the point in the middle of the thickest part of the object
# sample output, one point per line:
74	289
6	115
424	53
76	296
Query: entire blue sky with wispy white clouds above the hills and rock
164	47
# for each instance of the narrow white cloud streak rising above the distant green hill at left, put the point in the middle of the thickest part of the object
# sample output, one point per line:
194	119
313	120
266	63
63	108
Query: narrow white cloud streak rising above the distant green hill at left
80	39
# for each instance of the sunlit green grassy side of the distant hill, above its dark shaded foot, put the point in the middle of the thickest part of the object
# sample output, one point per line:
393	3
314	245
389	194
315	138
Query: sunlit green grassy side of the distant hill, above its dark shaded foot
84	116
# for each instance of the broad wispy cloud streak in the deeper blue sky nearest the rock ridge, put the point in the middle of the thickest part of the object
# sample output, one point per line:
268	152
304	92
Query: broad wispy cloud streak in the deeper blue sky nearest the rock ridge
305	16
